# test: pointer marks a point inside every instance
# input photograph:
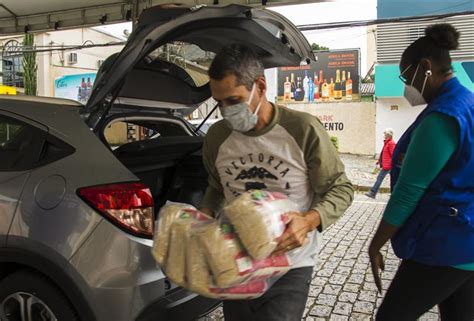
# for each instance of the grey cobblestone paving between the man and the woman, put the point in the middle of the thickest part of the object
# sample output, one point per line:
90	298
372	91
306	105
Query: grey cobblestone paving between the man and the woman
342	286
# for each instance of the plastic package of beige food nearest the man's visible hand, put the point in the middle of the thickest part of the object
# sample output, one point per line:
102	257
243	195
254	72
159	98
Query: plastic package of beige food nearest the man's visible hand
259	218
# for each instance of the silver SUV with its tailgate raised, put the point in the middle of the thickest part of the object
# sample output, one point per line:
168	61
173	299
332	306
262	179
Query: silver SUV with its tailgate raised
79	197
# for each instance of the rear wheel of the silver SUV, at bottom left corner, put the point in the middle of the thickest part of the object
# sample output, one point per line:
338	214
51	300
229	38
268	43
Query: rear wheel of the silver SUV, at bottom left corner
39	295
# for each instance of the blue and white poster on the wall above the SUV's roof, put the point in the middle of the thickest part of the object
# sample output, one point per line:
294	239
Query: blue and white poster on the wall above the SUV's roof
76	87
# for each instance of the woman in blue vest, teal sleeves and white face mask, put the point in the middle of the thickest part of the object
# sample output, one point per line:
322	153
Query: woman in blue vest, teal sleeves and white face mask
430	215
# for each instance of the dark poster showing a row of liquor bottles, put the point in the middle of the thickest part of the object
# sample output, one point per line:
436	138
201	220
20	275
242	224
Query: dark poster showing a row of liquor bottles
333	77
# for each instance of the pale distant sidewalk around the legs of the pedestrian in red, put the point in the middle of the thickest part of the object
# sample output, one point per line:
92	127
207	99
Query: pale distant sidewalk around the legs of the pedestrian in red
359	169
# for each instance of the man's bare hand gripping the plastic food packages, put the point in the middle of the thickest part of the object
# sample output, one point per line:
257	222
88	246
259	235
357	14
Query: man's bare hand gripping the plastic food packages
297	231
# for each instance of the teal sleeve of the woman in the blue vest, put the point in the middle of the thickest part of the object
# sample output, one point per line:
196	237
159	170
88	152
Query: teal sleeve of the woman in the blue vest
432	145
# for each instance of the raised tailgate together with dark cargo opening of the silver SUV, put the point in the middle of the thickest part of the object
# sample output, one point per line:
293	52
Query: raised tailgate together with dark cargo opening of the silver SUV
171	166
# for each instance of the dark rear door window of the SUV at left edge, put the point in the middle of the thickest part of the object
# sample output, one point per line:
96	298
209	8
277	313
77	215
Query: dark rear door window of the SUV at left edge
20	144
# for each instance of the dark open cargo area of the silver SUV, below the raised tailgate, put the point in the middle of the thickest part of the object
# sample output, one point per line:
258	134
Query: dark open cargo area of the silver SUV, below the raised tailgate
171	166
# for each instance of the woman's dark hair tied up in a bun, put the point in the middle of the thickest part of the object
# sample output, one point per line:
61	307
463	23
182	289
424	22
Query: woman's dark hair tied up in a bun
439	39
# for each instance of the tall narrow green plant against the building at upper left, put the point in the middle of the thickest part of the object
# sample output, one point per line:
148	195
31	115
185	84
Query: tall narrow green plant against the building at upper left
30	67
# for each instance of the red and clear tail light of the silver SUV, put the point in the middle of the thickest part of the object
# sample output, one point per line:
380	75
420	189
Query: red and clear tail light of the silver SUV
128	205
